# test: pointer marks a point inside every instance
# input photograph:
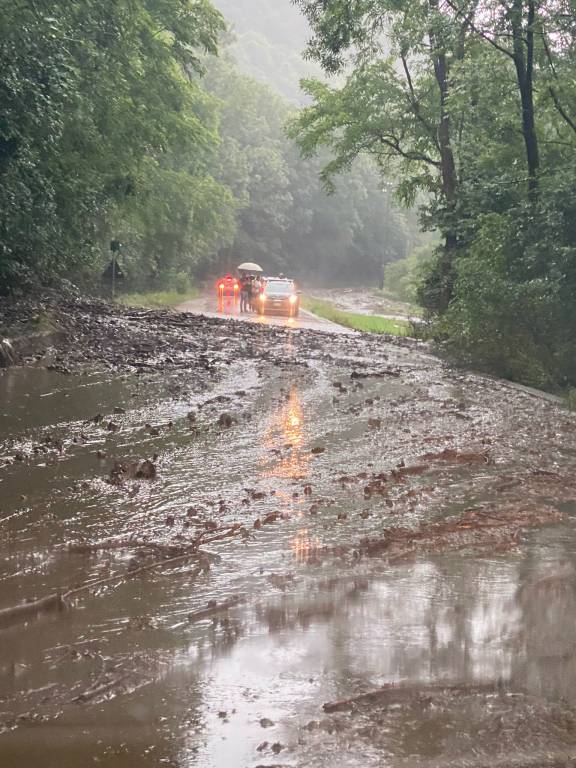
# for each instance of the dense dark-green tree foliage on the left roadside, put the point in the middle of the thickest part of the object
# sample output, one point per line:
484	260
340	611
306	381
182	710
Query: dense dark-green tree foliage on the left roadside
97	98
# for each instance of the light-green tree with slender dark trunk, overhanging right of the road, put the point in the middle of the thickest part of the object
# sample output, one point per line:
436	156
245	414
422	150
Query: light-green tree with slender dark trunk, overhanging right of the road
395	102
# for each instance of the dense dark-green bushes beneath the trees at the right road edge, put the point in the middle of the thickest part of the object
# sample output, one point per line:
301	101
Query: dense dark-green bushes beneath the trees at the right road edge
514	309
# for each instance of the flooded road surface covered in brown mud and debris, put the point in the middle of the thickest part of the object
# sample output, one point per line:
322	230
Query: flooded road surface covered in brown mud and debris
273	546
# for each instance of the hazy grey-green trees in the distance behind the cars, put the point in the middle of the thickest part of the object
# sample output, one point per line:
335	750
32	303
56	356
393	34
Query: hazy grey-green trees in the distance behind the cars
286	220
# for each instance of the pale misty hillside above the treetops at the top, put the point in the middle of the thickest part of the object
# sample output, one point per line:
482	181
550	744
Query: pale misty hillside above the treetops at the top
270	37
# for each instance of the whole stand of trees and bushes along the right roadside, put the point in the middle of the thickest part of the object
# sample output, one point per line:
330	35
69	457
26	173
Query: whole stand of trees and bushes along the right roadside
472	104
